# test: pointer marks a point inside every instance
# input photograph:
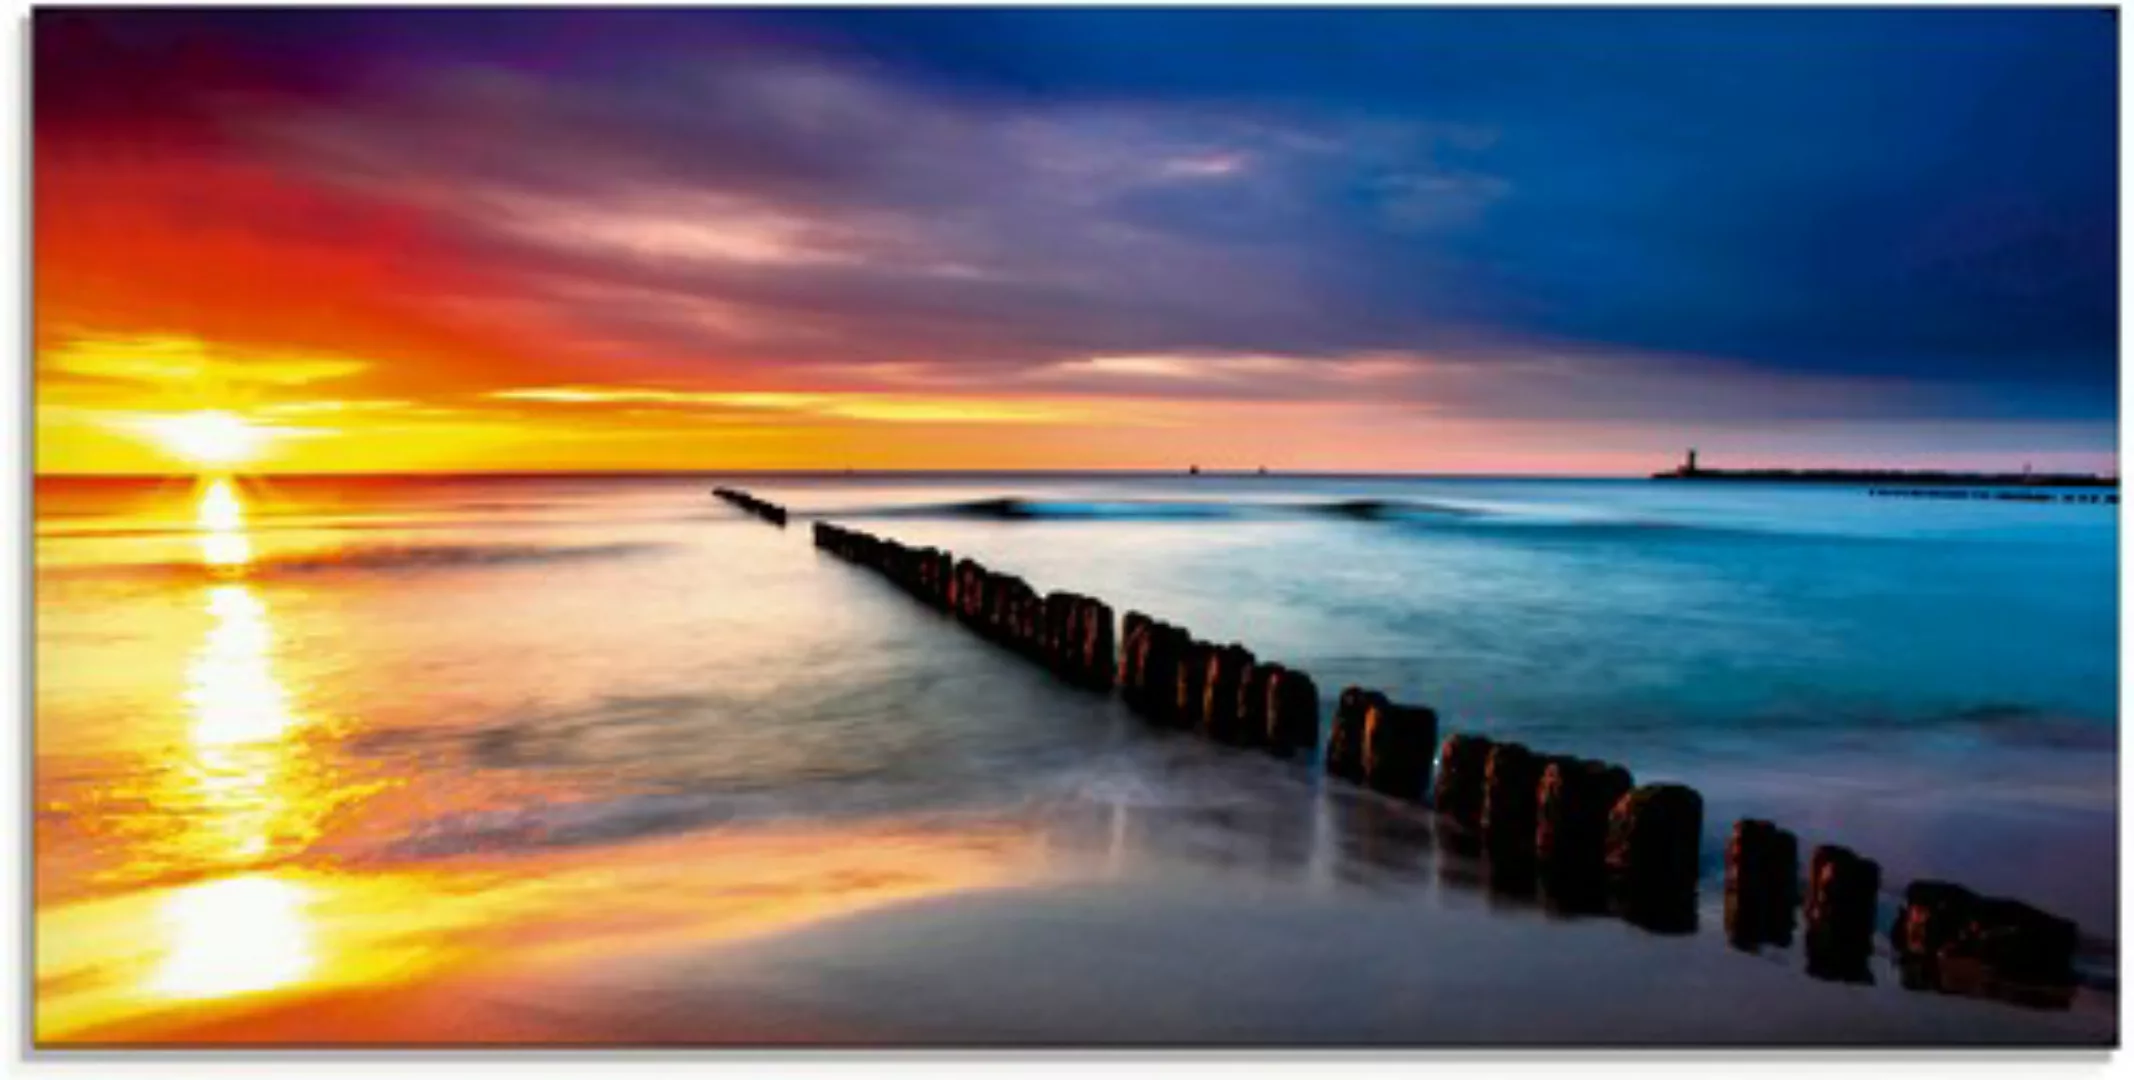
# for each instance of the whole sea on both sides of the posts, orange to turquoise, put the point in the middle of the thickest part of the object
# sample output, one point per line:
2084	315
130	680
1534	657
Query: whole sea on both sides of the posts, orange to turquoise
257	690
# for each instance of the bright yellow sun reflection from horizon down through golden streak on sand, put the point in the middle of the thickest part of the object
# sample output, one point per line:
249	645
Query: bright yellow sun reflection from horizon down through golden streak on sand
253	878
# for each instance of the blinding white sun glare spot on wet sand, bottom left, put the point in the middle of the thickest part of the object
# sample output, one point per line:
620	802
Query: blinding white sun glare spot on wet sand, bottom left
236	936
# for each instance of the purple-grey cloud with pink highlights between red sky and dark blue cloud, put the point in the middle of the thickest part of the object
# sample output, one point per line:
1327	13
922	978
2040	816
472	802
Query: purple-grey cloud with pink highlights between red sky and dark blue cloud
831	217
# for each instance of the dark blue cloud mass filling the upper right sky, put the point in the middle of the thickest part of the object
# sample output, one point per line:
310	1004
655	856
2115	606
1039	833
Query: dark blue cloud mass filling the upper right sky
1832	191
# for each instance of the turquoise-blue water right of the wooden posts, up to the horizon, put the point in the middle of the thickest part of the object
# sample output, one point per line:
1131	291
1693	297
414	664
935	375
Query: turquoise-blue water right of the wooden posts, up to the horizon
1595	603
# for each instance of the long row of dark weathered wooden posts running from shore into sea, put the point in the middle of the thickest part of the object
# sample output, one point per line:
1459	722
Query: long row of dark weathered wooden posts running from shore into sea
1580	829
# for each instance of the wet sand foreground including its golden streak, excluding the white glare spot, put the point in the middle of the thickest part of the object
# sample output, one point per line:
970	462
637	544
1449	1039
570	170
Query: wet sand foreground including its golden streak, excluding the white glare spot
1085	923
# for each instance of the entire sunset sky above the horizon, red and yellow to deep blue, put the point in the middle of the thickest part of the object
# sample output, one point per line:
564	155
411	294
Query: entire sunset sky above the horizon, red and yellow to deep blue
1565	242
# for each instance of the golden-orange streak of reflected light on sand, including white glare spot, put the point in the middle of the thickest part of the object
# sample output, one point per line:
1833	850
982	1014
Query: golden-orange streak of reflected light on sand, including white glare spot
266	957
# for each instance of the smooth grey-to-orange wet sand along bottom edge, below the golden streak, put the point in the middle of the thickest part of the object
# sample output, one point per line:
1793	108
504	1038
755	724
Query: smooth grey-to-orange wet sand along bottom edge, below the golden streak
1128	968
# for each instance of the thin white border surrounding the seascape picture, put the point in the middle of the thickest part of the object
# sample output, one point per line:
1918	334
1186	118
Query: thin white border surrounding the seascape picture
415	1066
